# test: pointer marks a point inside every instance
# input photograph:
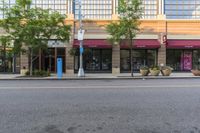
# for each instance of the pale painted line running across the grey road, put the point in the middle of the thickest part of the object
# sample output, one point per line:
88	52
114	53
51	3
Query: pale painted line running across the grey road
97	87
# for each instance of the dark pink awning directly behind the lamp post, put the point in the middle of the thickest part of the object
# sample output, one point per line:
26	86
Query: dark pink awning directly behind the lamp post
93	43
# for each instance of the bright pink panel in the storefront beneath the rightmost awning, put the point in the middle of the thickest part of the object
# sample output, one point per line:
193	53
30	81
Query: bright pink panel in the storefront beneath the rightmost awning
186	60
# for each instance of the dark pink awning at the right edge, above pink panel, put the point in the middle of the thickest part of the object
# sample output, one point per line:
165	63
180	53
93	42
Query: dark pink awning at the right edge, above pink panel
186	44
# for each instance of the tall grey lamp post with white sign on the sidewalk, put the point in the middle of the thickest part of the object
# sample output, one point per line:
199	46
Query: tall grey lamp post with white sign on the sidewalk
80	38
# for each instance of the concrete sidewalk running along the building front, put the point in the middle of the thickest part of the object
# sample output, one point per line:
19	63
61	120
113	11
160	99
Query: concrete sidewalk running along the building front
174	75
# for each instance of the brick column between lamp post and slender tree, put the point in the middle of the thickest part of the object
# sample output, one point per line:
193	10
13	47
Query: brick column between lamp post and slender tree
115	59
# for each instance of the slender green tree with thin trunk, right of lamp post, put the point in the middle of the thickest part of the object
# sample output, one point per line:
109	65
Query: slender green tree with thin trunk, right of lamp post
126	28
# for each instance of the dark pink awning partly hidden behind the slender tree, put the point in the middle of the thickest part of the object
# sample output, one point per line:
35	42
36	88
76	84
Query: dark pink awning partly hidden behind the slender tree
142	43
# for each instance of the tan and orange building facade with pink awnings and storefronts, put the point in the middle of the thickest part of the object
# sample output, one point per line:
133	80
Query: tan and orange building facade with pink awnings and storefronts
169	35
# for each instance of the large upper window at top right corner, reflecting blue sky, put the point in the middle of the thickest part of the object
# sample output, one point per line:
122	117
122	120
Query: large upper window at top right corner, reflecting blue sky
182	9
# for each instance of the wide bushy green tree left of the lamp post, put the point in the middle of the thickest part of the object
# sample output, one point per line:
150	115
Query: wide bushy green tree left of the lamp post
32	28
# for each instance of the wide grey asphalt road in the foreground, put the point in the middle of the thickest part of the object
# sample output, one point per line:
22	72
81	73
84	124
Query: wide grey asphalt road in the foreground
100	106
